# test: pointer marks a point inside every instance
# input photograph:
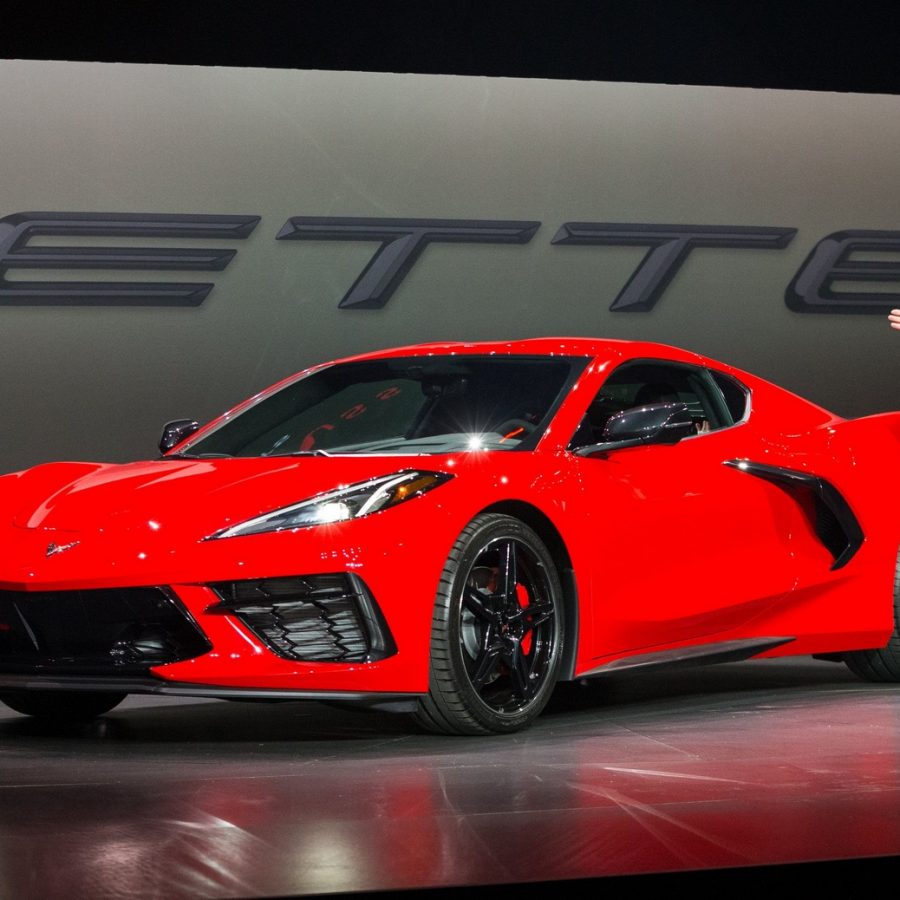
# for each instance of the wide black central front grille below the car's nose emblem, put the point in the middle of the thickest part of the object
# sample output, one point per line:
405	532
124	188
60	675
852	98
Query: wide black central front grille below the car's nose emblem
115	630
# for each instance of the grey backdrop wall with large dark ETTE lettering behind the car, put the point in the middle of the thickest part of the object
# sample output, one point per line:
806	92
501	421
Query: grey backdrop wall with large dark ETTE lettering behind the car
107	155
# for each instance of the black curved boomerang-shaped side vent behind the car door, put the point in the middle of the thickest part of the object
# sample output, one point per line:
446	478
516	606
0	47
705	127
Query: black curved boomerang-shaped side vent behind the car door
832	519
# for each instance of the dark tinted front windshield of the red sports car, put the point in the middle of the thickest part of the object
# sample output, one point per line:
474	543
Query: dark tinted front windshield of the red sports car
420	404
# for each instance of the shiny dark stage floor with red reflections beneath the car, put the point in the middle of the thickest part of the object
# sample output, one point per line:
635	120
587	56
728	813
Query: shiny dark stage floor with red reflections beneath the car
730	772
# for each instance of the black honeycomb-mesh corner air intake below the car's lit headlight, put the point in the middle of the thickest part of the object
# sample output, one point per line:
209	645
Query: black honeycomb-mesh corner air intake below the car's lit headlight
314	618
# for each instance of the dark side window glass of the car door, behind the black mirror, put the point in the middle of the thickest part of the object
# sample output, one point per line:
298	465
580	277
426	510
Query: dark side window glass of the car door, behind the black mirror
641	382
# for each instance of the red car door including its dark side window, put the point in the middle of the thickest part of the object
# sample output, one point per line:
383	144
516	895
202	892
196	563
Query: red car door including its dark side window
687	547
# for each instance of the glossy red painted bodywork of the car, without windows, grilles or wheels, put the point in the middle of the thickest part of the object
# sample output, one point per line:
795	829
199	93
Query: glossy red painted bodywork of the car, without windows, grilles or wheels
669	547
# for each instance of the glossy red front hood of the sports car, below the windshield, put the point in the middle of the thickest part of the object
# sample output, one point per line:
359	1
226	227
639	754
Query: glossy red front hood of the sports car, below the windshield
192	497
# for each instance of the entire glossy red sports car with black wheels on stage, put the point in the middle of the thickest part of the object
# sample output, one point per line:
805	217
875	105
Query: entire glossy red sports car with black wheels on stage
450	530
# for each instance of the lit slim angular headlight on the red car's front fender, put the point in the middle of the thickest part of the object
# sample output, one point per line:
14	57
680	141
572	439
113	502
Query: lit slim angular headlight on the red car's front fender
352	502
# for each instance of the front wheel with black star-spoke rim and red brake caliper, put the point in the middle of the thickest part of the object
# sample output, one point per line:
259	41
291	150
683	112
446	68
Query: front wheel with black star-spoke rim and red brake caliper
497	631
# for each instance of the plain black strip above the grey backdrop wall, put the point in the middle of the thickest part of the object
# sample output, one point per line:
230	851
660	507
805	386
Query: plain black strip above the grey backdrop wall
759	43
